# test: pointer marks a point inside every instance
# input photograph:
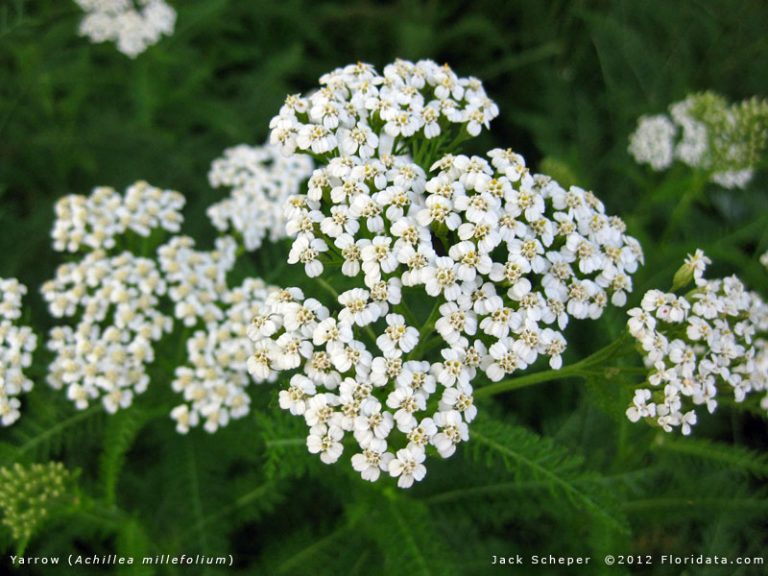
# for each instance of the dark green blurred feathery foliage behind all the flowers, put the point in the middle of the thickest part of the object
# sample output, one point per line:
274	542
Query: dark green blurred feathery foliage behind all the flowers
571	78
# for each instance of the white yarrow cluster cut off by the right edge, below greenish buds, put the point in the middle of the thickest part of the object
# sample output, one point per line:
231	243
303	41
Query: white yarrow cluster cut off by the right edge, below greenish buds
709	342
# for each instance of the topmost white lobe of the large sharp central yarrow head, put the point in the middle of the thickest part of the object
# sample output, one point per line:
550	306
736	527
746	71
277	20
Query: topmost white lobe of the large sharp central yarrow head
358	111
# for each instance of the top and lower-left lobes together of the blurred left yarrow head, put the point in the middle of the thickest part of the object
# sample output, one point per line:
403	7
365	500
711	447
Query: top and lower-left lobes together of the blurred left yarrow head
112	296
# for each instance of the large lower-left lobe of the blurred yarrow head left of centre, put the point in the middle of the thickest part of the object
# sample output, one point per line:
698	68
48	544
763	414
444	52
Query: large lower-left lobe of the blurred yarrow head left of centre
104	356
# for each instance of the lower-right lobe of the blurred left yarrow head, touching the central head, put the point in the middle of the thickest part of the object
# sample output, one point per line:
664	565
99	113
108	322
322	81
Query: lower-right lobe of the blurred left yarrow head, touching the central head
214	384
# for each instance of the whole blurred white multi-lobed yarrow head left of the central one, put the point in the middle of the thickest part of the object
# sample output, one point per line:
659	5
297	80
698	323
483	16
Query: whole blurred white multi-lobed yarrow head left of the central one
125	306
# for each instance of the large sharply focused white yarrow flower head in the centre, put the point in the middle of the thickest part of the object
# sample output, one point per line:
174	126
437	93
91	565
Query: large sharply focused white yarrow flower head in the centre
395	225
